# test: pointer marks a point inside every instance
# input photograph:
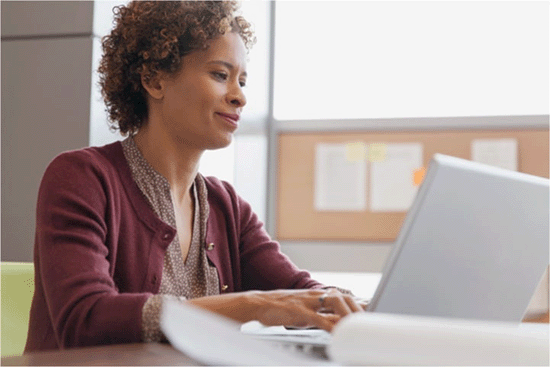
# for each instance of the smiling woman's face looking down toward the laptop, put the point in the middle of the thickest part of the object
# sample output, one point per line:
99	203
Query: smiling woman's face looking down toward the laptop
202	103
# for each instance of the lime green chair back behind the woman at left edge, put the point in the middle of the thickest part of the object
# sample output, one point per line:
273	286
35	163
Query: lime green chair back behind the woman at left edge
16	292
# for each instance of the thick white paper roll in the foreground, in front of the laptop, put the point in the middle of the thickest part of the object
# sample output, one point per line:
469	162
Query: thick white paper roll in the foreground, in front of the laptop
384	339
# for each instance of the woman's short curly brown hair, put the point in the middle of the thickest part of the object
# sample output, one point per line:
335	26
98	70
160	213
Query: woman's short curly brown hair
151	37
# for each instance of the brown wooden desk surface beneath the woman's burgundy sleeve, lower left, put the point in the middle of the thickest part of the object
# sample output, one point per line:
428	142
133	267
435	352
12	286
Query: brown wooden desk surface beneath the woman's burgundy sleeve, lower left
139	354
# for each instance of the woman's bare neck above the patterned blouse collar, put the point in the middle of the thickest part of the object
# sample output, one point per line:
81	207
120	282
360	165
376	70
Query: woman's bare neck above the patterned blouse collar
175	161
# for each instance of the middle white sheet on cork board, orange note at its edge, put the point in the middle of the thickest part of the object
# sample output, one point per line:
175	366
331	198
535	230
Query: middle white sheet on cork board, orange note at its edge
392	186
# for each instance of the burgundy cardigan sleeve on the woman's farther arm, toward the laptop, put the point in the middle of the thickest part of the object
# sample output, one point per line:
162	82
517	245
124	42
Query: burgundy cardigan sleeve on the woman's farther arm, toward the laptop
263	265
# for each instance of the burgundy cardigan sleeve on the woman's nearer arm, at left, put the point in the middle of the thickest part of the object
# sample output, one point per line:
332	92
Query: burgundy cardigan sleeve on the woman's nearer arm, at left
83	302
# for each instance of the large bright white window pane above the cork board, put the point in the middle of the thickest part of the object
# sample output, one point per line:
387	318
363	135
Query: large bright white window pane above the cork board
410	59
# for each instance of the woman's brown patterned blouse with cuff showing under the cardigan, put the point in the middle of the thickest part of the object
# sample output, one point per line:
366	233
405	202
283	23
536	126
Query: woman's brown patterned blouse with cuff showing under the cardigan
182	279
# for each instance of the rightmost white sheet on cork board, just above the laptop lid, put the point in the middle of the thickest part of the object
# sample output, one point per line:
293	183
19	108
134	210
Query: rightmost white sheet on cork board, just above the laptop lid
501	153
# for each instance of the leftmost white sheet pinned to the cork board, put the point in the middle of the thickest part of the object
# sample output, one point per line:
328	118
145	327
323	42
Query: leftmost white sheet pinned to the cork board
340	184
